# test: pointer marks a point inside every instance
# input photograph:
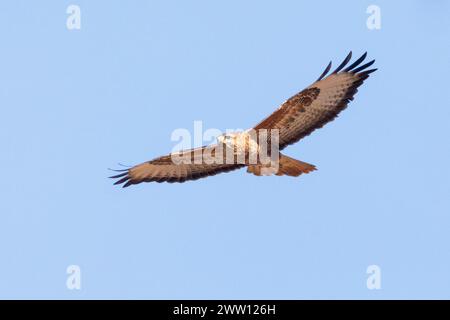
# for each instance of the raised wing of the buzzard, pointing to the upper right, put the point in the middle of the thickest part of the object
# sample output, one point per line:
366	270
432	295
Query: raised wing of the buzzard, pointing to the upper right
318	104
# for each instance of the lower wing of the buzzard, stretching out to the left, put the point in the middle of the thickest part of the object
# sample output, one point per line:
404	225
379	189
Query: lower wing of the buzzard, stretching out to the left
188	165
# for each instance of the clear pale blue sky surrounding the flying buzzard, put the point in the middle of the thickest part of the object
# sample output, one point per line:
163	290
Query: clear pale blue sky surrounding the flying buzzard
75	102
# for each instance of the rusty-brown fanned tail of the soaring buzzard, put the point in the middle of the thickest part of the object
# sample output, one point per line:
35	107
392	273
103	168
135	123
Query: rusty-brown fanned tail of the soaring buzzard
285	166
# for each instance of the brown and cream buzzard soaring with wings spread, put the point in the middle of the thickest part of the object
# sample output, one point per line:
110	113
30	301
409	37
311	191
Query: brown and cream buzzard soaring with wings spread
296	118
